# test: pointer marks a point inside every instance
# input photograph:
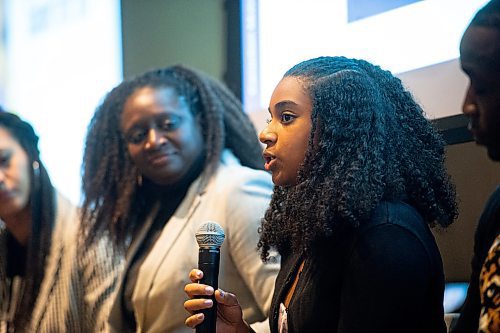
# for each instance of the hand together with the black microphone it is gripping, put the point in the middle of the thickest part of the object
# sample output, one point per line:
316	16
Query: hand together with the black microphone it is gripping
203	300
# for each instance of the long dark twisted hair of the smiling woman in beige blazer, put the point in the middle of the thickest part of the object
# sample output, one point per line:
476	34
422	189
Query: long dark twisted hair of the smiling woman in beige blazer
109	175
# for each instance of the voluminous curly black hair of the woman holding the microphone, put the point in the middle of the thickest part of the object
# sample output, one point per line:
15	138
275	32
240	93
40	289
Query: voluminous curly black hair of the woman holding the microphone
369	142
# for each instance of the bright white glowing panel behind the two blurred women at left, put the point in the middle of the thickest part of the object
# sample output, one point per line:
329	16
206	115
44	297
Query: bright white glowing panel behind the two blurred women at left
61	58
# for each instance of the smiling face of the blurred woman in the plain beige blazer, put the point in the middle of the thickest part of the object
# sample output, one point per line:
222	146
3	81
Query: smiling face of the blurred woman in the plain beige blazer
163	138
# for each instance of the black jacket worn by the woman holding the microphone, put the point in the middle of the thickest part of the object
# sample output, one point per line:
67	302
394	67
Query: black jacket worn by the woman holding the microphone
385	276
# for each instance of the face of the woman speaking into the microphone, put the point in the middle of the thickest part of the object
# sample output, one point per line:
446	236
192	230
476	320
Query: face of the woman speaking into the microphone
287	134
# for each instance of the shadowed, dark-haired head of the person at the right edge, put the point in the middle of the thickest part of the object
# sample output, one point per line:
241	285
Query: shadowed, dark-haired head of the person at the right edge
480	60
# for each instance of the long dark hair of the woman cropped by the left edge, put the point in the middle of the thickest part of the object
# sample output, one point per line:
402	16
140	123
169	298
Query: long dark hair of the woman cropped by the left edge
42	205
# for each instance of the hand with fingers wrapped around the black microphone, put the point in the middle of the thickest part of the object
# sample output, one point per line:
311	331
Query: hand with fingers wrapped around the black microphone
229	314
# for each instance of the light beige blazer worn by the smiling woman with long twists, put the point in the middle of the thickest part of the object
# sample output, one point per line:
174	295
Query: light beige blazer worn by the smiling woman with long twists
236	197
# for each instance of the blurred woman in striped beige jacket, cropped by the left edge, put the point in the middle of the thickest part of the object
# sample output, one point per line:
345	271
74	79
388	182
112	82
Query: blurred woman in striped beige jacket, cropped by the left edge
43	286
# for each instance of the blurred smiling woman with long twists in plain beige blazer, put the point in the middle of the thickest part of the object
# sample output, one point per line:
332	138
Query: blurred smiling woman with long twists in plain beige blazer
167	151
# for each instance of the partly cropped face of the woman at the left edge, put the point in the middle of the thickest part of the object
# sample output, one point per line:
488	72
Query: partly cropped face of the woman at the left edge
14	176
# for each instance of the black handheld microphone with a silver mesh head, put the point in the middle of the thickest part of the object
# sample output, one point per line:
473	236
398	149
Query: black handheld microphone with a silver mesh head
210	237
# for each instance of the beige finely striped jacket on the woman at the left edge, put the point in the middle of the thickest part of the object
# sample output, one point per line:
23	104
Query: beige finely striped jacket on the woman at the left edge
75	294
